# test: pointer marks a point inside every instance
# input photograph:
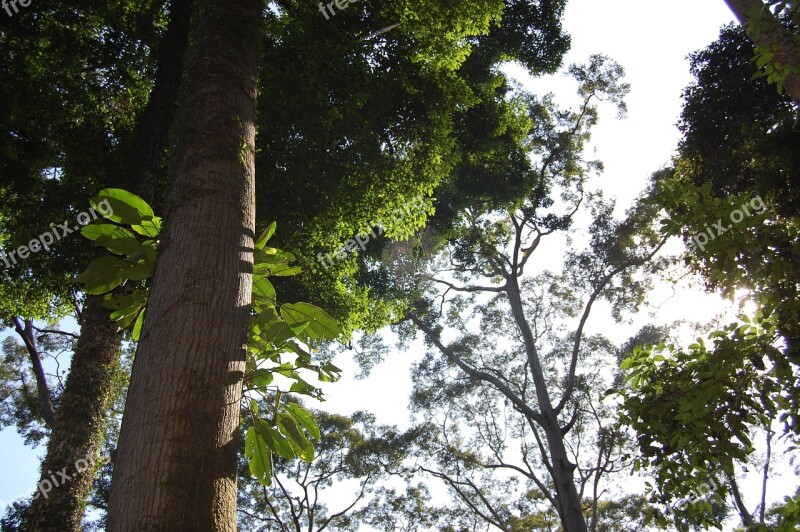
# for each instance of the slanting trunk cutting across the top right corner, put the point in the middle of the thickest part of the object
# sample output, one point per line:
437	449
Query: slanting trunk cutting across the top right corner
772	35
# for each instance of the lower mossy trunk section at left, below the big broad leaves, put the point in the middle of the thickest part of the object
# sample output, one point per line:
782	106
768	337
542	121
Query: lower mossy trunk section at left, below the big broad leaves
76	435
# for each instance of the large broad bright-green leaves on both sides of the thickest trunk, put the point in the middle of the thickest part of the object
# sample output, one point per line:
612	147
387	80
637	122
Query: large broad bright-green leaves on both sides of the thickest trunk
285	428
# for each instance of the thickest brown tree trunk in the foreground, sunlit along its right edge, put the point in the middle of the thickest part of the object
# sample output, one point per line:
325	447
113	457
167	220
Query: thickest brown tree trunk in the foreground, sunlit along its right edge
177	453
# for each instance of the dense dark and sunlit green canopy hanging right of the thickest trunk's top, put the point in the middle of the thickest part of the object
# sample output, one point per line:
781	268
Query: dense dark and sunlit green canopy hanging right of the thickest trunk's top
370	123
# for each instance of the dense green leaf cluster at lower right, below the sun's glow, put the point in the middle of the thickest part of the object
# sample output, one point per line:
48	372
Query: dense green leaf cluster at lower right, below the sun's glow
695	410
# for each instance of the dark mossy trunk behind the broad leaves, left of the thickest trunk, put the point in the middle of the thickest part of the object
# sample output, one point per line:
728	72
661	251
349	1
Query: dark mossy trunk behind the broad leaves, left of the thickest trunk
78	431
